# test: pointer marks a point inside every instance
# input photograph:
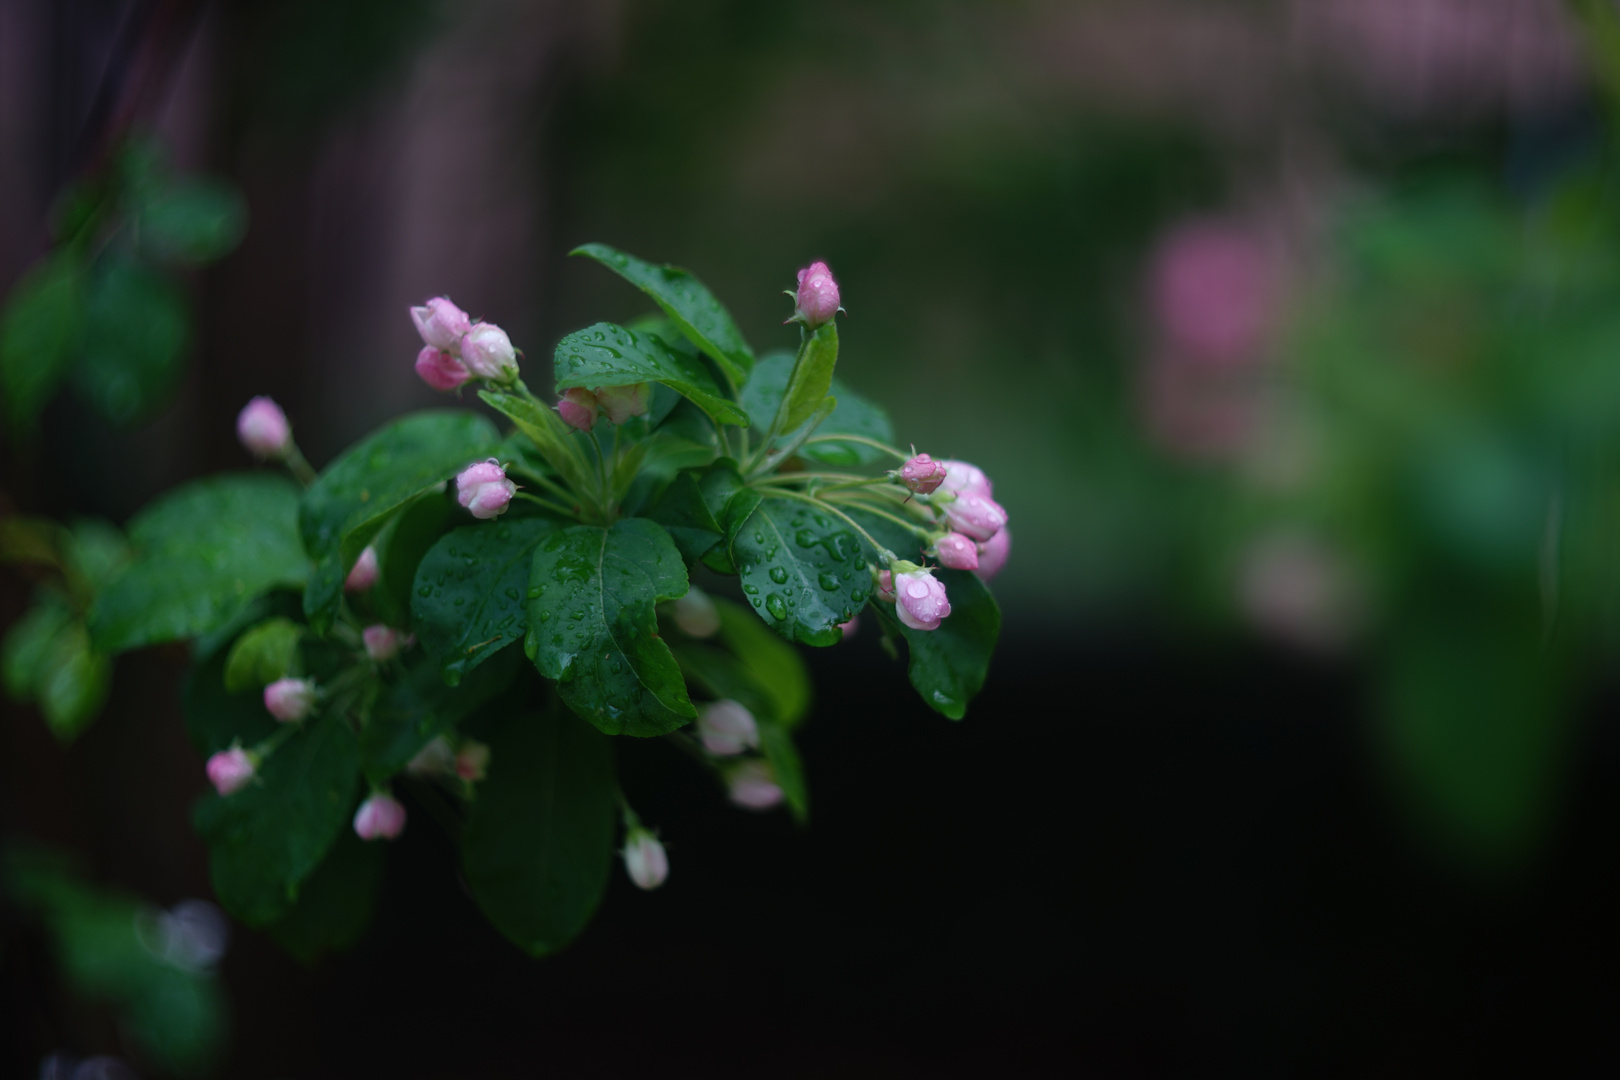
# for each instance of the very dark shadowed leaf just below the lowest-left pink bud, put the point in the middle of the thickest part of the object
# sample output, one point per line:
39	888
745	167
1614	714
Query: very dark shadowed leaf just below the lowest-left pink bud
335	903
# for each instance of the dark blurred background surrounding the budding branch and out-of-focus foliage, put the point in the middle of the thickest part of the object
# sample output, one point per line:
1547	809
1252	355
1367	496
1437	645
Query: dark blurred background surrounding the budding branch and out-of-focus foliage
1159	846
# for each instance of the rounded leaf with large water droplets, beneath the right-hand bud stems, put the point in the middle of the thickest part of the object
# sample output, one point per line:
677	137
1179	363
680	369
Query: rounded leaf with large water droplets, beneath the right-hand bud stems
803	571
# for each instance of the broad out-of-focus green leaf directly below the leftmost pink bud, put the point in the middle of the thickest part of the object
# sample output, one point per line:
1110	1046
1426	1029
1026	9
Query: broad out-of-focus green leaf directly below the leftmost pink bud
202	555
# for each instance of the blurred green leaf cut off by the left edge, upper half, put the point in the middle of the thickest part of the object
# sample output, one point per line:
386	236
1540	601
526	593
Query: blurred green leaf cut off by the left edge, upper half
40	336
